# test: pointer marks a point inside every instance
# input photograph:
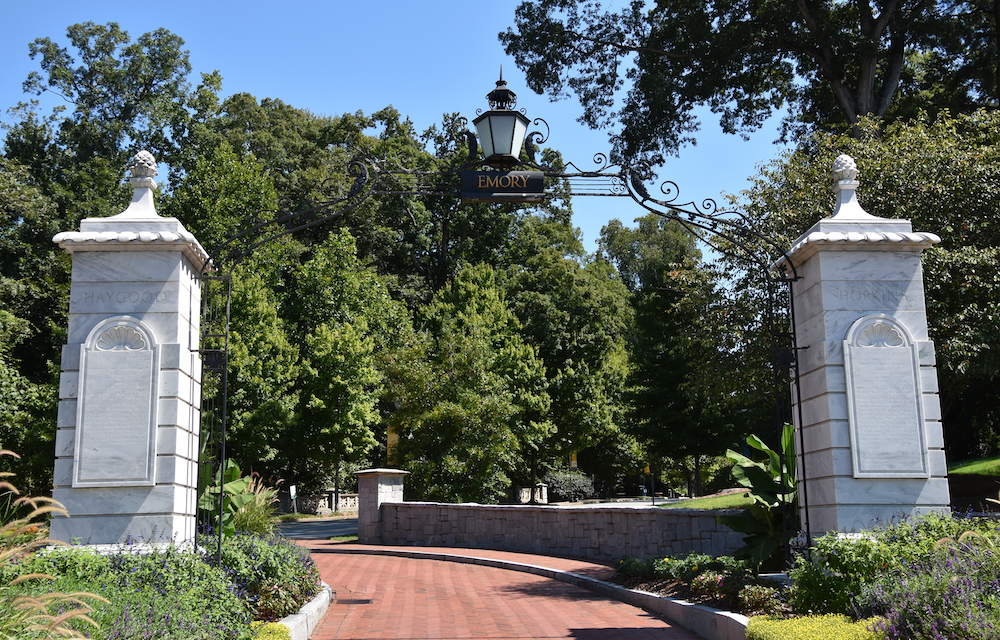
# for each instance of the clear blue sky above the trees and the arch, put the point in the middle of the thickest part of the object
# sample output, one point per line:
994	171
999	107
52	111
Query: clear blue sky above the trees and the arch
425	58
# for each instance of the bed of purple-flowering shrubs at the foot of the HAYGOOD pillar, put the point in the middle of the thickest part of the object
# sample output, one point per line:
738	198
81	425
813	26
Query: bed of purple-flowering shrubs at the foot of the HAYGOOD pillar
176	594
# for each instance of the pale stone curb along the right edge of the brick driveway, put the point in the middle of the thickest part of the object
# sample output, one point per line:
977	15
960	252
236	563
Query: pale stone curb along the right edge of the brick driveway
709	623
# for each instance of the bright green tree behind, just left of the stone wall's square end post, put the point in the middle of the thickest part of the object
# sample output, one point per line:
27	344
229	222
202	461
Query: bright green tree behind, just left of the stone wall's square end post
347	323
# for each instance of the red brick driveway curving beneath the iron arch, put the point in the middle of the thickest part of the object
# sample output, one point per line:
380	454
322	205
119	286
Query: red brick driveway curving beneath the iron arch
383	596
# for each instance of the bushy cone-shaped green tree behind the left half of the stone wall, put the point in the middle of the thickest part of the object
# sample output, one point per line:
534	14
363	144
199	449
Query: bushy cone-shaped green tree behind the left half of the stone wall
470	394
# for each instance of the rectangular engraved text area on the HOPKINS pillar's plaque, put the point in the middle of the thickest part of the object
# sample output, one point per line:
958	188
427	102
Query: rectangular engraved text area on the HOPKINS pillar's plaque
886	419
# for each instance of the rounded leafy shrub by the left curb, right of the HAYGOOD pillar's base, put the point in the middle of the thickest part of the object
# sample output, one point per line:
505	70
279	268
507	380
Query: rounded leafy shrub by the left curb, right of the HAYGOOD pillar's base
274	575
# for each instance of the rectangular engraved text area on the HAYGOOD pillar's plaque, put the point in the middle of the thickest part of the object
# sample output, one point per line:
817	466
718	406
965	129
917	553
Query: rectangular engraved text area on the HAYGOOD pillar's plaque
114	432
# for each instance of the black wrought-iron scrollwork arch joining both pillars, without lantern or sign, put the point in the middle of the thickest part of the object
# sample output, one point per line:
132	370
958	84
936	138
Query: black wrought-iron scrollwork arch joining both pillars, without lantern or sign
390	176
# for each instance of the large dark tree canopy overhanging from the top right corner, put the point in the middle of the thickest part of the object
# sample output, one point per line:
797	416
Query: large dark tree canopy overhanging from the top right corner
830	62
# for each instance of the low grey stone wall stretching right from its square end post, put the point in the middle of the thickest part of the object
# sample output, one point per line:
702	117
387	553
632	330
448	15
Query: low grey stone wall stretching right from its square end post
606	533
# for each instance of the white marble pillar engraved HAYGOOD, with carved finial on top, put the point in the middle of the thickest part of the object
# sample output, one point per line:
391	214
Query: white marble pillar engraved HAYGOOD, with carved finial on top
129	392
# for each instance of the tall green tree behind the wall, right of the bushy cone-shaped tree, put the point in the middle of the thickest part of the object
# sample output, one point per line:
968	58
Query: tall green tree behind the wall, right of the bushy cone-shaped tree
576	316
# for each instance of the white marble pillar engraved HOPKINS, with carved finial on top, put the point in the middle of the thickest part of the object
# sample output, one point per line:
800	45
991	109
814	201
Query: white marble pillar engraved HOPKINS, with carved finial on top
871	417
